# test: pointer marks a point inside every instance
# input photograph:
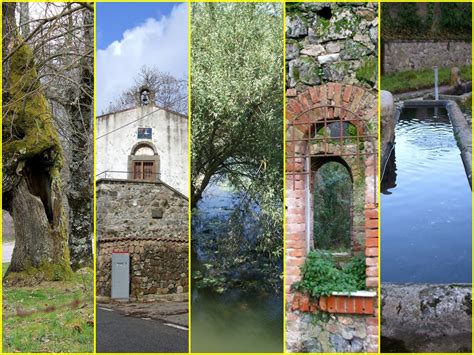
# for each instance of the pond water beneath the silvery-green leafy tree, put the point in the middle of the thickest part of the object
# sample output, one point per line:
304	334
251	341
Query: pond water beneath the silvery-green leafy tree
233	320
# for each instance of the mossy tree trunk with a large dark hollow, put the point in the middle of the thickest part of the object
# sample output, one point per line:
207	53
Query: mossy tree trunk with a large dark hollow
32	160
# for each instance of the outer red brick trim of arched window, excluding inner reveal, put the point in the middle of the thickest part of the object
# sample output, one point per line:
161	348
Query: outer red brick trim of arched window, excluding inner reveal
299	107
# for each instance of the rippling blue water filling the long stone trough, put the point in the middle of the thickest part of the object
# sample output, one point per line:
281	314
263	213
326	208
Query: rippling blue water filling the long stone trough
425	204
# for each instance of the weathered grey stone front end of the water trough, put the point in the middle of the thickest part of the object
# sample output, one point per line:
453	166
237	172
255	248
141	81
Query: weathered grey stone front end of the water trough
426	318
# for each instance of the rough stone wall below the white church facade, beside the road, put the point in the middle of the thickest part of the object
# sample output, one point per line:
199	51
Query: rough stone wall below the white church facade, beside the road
150	221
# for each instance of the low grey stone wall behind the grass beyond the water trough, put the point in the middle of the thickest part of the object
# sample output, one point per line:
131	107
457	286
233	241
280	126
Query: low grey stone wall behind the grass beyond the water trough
415	55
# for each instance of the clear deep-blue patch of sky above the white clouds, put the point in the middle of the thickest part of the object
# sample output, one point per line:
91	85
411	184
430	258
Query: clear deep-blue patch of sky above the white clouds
114	18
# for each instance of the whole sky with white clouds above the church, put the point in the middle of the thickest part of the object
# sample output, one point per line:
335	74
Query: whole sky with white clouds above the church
132	35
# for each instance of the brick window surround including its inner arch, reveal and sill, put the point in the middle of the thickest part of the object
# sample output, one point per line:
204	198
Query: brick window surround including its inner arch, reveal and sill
332	102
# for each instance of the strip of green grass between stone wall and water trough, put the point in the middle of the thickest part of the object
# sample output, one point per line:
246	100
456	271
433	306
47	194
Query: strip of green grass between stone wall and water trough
419	79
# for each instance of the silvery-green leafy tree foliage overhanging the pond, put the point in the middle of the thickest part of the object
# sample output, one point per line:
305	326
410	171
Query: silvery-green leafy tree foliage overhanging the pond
237	115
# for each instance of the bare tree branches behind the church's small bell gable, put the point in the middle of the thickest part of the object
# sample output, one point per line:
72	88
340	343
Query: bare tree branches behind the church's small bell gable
170	93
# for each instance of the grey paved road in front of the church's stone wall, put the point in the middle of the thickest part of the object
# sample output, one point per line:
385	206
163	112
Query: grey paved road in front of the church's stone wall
120	334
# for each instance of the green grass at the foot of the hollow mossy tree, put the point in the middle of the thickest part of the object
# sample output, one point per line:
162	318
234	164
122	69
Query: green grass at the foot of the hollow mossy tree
65	329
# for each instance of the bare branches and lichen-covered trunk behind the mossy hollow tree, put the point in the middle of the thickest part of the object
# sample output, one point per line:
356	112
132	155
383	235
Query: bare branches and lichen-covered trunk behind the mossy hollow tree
60	37
